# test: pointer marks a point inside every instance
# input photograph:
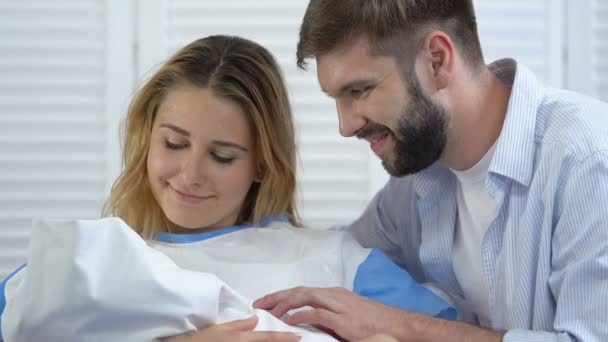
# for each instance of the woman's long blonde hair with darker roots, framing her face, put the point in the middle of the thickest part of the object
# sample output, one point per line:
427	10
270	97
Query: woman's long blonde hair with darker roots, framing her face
235	69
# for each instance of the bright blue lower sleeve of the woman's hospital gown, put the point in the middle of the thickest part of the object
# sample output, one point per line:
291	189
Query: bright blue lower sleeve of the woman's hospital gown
379	278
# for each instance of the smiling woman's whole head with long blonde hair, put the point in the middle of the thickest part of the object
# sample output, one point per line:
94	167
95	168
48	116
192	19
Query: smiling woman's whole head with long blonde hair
208	142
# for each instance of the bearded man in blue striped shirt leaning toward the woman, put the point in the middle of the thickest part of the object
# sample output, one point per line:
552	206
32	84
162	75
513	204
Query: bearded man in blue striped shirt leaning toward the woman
499	187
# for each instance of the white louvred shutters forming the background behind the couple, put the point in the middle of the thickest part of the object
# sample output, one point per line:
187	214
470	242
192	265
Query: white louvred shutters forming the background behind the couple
69	67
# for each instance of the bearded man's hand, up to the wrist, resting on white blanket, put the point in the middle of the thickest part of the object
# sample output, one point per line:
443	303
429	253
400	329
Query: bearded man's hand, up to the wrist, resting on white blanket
336	310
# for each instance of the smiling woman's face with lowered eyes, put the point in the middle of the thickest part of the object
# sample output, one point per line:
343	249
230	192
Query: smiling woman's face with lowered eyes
201	161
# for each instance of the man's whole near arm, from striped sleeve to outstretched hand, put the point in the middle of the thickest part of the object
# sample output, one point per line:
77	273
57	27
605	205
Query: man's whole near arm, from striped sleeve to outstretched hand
578	281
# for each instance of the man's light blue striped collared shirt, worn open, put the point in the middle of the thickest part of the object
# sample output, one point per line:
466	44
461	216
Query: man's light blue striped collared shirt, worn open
545	256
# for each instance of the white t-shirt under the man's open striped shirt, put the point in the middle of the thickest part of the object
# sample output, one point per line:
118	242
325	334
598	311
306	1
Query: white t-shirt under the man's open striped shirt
476	211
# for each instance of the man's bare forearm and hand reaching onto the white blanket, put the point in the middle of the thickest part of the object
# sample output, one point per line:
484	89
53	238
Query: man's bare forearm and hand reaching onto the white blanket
352	317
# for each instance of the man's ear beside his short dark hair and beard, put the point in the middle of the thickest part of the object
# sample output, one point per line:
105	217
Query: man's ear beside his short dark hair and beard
438	54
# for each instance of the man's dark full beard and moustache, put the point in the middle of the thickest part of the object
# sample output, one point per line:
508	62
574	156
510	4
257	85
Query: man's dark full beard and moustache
421	134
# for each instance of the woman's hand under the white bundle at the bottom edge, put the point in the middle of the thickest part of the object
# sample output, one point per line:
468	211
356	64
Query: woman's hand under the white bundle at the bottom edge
236	331
